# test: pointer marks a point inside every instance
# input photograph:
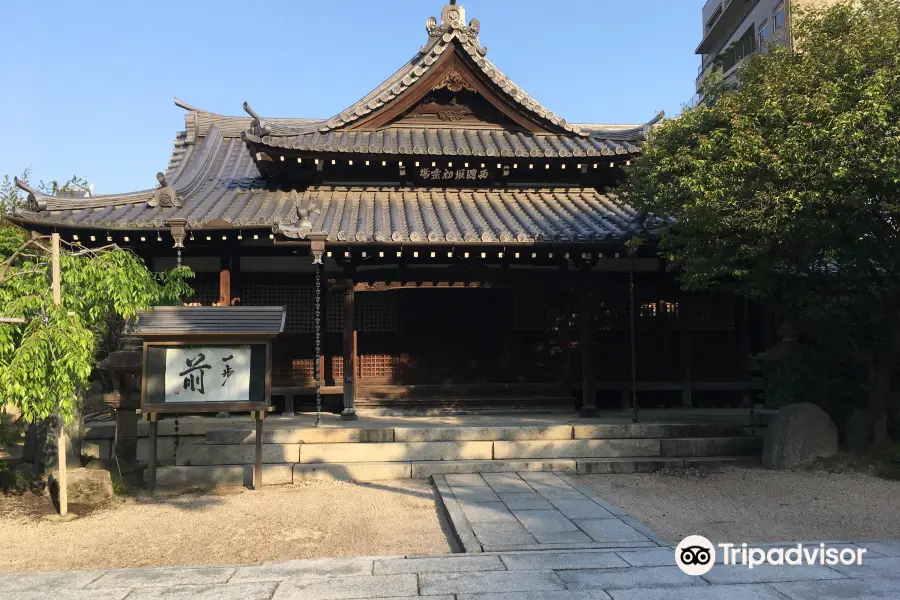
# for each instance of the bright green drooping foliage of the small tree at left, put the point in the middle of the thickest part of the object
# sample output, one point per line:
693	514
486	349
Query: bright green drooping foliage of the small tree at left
48	359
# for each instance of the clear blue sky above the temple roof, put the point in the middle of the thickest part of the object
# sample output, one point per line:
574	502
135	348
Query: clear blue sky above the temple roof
90	83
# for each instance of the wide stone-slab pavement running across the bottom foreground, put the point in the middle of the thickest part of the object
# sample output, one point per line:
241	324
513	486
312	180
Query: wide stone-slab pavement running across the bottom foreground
629	574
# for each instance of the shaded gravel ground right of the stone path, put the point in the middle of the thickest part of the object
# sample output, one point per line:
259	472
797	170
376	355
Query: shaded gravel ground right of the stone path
757	505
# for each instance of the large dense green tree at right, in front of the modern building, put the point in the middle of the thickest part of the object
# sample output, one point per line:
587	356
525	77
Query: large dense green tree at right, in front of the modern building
786	185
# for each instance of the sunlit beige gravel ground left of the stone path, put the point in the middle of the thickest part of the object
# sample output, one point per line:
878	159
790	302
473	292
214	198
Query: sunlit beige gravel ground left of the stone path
230	526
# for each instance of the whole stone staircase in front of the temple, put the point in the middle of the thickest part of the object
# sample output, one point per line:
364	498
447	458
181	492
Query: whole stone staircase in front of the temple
294	454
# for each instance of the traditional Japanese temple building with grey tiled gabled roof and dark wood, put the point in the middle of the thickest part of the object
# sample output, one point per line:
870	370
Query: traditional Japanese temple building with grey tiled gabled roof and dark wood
476	254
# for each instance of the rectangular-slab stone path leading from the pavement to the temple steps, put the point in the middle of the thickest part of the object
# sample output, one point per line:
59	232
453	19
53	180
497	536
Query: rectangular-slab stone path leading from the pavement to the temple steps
493	512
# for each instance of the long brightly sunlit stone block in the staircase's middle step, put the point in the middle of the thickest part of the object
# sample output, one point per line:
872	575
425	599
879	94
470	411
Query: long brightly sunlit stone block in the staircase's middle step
395	452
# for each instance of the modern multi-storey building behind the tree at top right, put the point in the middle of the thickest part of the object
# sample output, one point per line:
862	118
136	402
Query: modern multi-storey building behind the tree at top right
735	29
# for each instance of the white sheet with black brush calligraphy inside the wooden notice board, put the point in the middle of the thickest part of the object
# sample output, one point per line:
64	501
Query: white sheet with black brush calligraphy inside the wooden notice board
208	374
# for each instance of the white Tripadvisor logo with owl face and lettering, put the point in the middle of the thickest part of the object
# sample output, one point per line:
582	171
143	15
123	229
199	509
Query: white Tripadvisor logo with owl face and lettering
696	555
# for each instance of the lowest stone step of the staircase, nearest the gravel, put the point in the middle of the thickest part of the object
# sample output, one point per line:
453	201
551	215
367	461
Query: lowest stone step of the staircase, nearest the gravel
279	474
